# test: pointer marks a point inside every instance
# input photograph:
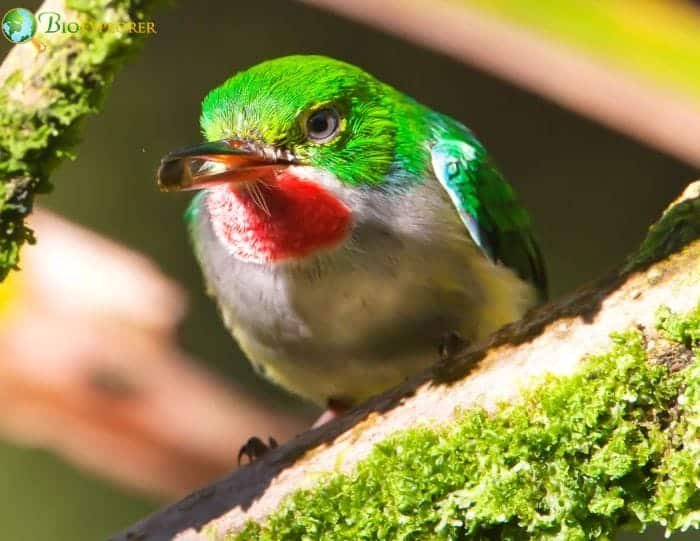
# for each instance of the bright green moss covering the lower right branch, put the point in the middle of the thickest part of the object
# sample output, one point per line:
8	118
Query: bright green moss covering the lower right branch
575	458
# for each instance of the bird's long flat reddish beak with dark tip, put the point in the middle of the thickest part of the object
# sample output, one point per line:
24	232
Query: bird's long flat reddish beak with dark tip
218	162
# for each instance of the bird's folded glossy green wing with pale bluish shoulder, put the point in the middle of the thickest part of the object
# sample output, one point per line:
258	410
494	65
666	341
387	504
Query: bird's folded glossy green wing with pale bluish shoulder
489	208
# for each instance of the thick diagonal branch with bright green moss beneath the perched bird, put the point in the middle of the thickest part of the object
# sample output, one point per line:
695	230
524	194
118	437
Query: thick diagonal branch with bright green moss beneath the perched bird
579	420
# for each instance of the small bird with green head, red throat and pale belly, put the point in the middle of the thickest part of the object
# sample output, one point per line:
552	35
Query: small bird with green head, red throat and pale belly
344	228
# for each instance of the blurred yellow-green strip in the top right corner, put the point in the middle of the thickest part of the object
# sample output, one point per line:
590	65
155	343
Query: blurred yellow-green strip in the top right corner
658	39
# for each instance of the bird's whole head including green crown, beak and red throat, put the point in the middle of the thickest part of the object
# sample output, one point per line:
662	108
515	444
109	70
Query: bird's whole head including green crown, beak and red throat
292	144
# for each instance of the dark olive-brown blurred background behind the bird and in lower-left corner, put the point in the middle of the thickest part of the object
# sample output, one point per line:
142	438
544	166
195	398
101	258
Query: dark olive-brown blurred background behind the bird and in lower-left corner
592	192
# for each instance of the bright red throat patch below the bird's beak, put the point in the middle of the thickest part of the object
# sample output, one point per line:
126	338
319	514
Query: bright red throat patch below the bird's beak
295	218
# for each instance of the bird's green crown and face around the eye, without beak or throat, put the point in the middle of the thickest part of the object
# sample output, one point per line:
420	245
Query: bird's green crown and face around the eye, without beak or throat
321	112
